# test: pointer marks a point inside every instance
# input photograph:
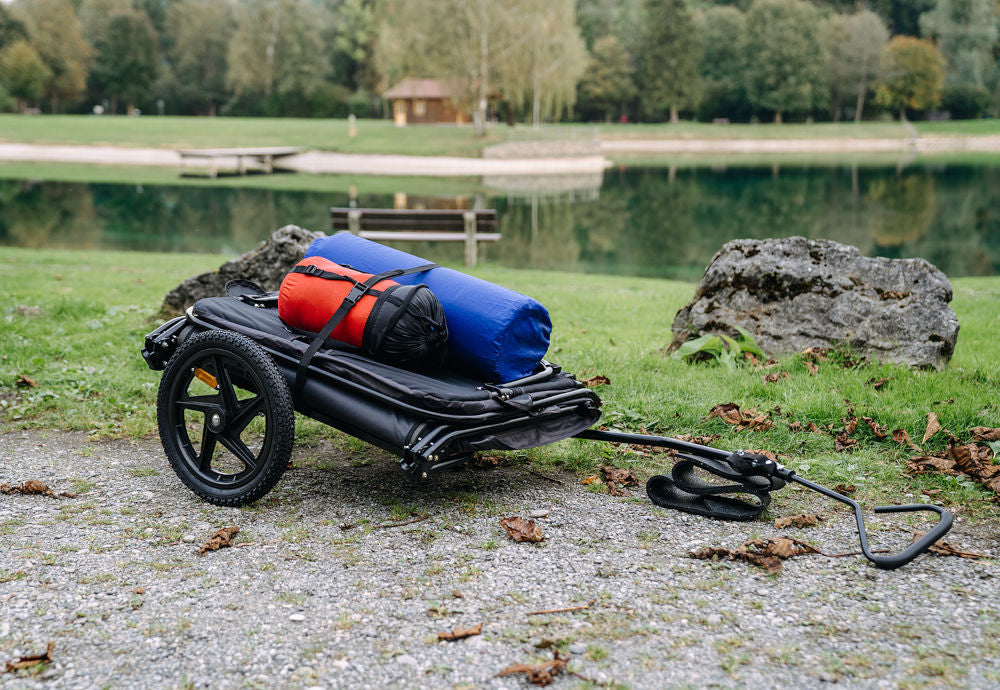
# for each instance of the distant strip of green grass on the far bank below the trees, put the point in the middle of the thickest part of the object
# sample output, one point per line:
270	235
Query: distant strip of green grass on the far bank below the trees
380	136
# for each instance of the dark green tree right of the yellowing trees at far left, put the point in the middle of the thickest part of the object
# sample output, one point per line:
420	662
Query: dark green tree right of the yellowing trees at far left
126	64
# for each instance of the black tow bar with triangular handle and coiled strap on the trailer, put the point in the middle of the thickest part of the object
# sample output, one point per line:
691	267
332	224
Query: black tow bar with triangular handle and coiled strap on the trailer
754	476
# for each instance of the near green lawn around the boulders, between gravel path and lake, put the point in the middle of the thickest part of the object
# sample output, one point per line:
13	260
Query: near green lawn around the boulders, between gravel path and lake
74	323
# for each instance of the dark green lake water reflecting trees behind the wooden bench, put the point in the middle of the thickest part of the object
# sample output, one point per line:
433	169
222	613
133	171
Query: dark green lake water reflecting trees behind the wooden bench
647	221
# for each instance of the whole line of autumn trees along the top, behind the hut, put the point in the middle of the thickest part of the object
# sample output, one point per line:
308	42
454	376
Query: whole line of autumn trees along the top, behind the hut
514	60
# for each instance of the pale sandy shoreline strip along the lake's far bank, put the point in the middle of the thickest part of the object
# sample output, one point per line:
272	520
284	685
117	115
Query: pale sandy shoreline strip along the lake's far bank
328	162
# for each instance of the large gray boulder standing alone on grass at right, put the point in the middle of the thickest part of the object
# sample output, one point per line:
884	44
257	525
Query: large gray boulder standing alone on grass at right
796	293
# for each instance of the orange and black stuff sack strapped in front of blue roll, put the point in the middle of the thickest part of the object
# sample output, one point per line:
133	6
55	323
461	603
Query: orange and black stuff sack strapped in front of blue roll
398	324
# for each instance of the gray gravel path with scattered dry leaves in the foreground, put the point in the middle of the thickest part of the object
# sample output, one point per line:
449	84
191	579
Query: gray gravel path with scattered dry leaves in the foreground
114	580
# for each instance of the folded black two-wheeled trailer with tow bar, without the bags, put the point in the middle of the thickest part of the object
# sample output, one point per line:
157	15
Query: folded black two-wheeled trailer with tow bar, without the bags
233	347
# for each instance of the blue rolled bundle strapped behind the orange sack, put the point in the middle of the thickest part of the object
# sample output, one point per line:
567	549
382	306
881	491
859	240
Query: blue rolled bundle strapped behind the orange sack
494	334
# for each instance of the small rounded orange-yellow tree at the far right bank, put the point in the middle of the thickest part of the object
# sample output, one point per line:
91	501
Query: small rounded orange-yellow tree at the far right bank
912	75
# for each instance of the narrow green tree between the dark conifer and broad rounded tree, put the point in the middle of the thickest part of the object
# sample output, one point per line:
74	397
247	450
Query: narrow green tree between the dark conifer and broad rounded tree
723	62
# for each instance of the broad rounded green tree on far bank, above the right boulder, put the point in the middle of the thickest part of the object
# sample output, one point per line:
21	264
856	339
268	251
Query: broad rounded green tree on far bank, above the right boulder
785	67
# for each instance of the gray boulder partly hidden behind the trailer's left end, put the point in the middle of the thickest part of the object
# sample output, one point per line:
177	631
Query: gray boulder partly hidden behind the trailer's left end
265	265
